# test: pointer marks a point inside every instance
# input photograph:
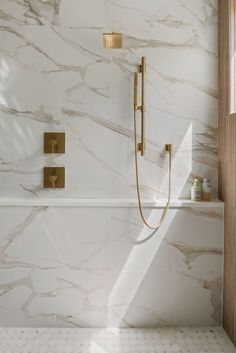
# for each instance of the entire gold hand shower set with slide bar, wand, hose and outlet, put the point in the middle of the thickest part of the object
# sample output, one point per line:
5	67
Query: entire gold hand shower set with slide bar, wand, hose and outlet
140	147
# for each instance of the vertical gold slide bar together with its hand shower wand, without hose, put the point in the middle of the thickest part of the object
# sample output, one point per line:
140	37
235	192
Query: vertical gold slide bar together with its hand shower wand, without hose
142	70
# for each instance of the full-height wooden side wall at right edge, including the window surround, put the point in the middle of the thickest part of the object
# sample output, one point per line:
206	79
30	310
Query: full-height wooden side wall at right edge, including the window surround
227	159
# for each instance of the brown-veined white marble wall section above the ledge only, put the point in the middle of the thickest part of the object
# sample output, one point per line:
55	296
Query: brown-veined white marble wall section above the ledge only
55	75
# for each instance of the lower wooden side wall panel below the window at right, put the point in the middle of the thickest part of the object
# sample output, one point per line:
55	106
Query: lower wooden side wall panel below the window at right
229	178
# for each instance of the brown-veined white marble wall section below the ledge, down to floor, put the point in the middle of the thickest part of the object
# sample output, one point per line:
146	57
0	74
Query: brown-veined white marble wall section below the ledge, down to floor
59	267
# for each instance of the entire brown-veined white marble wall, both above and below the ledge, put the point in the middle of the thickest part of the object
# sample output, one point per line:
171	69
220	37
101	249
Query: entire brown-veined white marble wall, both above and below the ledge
75	266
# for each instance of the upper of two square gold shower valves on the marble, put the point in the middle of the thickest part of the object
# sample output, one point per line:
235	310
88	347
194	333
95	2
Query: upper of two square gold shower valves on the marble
54	142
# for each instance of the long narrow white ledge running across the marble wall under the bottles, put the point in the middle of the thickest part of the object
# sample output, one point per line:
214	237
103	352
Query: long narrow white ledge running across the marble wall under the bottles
96	202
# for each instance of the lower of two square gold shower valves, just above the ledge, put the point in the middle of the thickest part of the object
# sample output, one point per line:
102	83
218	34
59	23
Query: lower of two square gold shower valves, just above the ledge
54	177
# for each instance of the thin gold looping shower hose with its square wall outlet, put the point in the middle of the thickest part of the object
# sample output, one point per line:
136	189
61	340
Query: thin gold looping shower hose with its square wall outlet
166	208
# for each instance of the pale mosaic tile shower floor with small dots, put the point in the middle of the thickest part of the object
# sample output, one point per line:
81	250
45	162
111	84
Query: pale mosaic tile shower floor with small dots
162	340
